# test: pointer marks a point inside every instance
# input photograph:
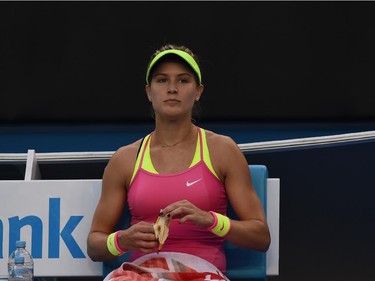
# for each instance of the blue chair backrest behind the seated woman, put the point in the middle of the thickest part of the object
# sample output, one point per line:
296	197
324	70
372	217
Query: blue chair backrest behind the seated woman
241	263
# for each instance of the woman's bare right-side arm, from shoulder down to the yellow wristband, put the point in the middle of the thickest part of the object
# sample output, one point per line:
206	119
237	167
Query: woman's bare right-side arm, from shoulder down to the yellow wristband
251	230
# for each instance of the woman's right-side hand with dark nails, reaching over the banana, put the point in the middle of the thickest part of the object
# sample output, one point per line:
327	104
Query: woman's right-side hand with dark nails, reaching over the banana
186	211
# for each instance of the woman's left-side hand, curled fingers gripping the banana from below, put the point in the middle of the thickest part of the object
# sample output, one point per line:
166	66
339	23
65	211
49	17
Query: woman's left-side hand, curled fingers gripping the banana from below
139	237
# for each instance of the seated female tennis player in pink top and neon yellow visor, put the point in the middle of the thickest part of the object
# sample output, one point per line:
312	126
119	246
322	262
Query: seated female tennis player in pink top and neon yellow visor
181	171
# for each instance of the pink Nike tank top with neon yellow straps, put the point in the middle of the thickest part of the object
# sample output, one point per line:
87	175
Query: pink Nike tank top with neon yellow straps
150	192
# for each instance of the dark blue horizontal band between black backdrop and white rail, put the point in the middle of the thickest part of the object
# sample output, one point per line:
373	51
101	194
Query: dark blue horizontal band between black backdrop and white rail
108	137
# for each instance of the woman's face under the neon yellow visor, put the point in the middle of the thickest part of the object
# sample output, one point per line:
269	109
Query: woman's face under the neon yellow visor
173	90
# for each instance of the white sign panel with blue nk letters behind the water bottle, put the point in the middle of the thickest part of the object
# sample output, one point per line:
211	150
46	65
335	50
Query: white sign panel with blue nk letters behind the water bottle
54	218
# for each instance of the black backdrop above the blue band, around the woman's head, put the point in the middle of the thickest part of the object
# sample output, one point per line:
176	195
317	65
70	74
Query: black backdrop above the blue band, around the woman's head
85	61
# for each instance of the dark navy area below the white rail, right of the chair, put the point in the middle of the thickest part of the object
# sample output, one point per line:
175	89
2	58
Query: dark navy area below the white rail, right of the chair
326	211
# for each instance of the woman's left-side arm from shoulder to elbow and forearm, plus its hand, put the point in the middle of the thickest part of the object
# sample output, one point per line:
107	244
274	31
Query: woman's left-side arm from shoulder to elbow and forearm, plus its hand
116	179
